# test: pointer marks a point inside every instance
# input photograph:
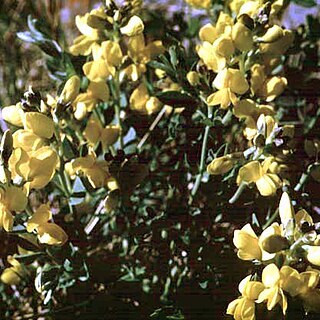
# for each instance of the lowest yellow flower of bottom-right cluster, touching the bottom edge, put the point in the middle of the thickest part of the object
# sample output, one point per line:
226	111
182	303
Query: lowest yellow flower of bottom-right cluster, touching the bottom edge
243	308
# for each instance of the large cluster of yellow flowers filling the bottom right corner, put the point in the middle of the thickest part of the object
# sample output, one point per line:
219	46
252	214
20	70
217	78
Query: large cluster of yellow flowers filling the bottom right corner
279	250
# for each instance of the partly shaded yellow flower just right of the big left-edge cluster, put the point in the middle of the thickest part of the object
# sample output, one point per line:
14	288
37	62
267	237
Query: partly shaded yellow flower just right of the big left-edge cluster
96	171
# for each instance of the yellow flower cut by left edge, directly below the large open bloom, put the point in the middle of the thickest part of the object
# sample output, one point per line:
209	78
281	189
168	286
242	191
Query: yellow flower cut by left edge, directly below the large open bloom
11	199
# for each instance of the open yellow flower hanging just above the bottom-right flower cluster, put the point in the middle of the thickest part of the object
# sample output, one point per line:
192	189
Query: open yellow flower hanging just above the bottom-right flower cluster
254	171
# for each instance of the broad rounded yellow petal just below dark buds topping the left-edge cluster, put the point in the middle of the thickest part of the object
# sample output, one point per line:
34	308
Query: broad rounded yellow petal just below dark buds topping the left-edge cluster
39	124
